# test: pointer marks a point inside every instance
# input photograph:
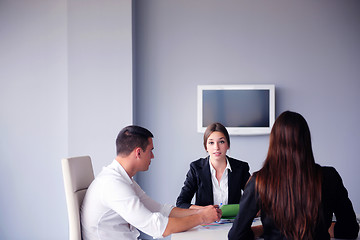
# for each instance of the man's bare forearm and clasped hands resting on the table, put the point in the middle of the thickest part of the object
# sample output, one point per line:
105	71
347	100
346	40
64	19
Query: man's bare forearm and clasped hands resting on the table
183	219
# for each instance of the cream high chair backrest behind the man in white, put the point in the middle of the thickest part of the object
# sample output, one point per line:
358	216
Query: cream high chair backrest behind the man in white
78	174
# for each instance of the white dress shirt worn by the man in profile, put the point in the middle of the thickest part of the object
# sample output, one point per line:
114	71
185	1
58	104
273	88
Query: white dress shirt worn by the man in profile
115	205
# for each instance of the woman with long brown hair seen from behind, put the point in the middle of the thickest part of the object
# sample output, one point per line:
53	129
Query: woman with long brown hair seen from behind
295	196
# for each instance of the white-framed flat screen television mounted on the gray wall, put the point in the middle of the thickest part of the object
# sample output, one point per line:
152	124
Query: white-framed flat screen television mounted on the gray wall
242	109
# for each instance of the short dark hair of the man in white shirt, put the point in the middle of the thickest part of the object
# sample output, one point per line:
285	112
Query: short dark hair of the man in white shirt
130	138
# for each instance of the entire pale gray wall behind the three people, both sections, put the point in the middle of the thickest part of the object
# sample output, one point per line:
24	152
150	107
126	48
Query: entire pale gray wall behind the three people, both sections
66	84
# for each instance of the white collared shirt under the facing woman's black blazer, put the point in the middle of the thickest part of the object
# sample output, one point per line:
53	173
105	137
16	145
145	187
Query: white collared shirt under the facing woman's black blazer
220	189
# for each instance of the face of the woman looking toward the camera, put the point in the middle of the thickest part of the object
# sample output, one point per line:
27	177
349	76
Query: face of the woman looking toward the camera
217	146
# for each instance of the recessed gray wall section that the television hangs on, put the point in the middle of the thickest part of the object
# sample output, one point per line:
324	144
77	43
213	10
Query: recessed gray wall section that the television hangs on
310	50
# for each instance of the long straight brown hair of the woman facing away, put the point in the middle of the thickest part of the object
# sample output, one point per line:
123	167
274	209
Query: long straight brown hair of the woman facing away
289	183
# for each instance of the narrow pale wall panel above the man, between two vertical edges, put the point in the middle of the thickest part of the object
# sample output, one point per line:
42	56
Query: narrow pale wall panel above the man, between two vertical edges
100	76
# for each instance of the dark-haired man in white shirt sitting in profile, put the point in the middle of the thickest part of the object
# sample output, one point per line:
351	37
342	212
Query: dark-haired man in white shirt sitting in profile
115	206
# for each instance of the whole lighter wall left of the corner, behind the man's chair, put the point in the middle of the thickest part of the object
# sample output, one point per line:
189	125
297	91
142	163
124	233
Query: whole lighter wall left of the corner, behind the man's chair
65	90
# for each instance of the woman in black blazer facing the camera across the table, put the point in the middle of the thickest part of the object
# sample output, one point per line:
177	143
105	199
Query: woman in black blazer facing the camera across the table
216	179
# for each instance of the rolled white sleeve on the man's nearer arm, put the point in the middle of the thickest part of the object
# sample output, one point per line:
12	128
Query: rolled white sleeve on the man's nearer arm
123	198
